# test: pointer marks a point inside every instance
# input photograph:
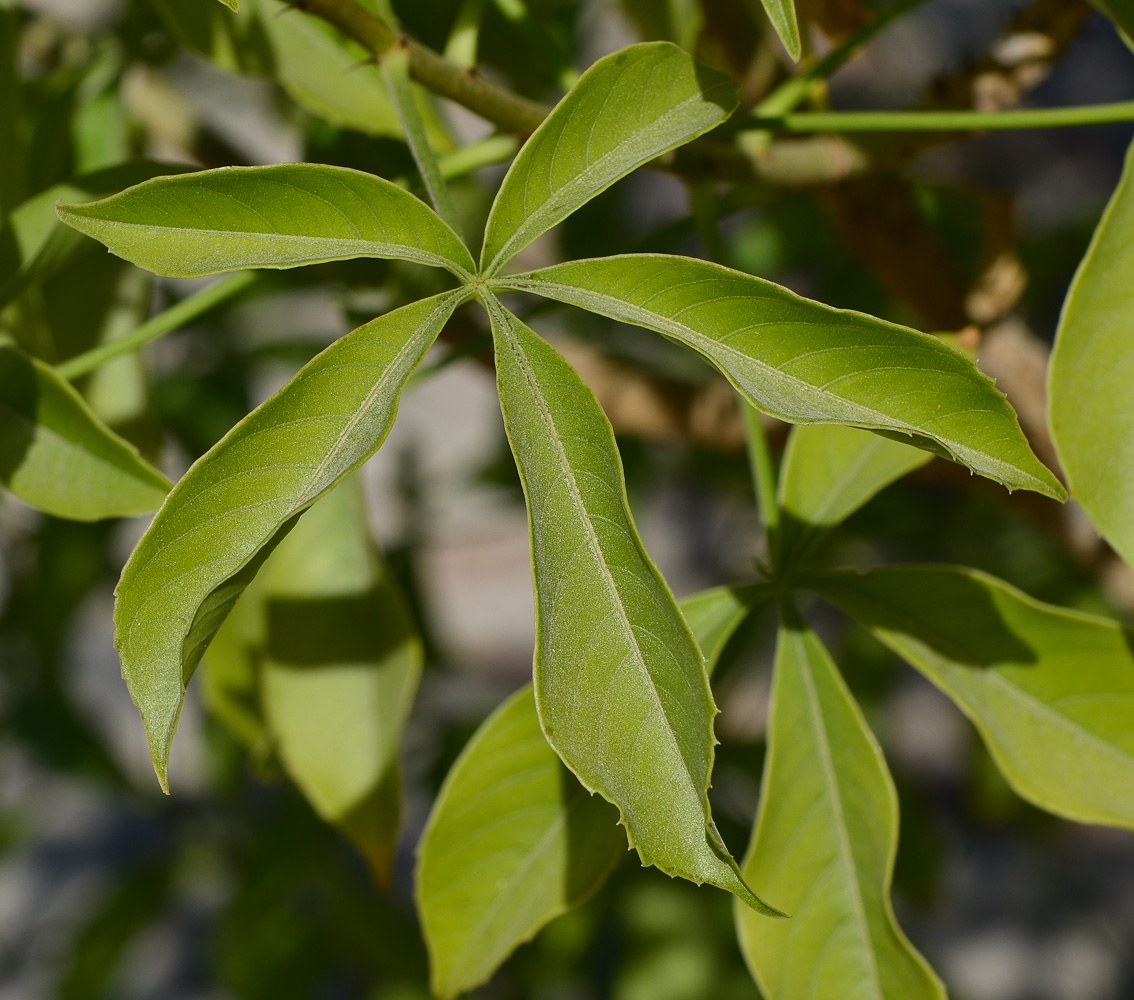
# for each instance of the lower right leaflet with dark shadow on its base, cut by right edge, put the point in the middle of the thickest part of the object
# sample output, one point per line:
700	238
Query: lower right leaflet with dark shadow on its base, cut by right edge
1051	691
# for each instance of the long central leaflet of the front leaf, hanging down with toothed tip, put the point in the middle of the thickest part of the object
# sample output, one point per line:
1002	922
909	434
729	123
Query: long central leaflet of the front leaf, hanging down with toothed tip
620	681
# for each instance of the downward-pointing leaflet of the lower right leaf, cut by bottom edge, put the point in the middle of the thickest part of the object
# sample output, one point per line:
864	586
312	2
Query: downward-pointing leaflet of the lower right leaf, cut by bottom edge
825	844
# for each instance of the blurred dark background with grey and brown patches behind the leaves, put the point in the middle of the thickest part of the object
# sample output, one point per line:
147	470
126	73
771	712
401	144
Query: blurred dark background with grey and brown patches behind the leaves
233	888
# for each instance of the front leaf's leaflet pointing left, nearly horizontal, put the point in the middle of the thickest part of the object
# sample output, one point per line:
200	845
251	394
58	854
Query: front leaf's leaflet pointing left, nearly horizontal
267	217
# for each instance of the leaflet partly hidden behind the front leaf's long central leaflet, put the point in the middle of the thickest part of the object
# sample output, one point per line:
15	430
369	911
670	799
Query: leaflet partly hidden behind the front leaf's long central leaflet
514	841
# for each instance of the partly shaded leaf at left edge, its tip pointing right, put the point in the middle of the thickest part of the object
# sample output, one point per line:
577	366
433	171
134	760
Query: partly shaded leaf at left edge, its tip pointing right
57	455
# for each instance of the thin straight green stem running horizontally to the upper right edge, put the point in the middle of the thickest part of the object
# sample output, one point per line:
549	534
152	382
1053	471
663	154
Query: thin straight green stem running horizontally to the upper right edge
844	122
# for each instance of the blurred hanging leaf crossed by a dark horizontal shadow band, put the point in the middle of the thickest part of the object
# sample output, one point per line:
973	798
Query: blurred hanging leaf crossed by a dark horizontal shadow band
341	667
